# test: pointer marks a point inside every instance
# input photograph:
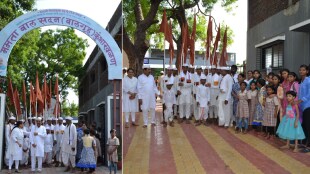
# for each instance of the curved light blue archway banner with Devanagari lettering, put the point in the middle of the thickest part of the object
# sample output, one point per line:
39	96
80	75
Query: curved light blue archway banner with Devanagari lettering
61	17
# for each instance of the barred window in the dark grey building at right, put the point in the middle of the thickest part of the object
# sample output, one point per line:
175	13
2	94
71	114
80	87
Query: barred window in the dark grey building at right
273	56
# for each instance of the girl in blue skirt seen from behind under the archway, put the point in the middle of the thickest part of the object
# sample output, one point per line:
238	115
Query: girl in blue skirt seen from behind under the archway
87	155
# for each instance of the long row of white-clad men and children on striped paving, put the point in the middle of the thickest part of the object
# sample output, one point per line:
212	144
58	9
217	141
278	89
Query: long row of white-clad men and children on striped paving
277	104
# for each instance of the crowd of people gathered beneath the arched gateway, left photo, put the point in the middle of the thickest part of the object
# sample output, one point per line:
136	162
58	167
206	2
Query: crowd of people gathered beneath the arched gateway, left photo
58	142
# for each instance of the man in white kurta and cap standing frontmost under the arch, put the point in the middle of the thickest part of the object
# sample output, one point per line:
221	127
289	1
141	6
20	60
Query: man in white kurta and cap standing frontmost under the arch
37	136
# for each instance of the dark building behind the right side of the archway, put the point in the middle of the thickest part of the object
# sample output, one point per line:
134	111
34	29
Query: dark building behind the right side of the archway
99	98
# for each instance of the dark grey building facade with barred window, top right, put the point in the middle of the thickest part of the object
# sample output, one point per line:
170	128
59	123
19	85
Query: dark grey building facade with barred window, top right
278	34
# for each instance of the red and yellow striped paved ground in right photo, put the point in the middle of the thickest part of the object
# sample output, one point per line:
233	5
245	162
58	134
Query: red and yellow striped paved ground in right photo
188	149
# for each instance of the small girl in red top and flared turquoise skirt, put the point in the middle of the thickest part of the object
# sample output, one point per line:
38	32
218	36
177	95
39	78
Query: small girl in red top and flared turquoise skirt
290	128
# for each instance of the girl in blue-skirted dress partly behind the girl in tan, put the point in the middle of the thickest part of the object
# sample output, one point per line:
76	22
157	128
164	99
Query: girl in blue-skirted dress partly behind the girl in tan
259	111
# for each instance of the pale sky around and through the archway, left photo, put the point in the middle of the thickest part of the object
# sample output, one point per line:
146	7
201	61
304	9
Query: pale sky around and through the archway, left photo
100	11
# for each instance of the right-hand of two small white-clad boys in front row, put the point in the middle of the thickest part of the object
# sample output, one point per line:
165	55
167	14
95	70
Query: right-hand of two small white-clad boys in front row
203	100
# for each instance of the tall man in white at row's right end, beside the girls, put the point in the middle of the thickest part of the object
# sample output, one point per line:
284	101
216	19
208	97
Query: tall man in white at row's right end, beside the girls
225	98
